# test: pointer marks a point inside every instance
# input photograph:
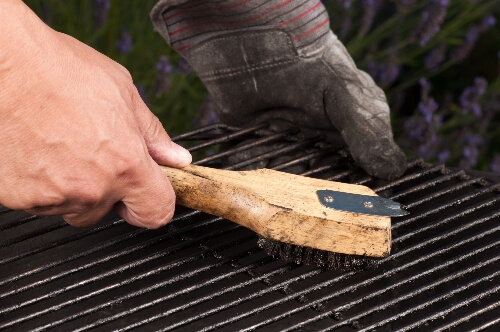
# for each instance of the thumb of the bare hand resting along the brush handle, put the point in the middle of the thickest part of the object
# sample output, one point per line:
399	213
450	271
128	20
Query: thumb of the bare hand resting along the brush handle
160	146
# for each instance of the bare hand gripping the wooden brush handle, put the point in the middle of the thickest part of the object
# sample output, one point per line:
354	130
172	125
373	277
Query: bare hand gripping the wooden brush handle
76	138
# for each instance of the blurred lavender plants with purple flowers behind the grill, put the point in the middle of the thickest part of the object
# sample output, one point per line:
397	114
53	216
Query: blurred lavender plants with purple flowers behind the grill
437	60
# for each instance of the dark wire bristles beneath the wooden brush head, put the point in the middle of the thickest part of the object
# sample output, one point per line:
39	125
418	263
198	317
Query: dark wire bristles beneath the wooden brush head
319	258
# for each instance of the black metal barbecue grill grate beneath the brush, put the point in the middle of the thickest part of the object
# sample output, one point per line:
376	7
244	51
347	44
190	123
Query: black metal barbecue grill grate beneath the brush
203	273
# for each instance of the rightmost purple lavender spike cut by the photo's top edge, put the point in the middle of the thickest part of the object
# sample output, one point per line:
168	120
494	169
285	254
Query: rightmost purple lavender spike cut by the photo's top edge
431	21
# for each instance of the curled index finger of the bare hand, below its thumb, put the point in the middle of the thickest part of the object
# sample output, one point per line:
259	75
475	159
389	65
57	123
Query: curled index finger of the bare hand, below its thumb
150	203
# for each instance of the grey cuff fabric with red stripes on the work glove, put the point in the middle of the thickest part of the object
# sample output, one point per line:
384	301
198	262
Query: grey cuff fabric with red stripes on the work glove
196	21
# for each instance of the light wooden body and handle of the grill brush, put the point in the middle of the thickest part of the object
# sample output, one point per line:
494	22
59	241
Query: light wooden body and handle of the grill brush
283	207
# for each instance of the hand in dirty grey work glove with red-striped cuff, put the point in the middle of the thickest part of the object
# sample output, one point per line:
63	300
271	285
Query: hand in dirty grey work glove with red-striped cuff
278	61
